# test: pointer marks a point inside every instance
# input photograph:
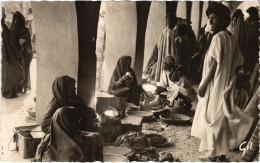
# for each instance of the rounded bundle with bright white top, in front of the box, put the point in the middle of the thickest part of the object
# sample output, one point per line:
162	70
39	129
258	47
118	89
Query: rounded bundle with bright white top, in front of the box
111	124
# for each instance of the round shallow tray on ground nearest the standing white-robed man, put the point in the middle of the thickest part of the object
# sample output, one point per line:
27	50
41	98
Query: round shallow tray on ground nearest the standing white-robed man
175	118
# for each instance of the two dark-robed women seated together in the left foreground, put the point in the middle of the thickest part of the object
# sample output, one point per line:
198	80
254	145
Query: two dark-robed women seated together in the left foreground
68	125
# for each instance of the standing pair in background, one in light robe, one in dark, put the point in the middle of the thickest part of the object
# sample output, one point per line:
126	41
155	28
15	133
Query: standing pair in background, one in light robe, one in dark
177	40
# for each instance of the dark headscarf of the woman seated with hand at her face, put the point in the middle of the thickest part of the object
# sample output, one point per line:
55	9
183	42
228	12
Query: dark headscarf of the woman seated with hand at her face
123	65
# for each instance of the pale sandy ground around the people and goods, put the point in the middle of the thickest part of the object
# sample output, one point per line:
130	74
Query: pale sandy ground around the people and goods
14	113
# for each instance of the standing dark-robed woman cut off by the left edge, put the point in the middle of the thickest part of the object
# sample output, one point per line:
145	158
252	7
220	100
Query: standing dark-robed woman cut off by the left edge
12	70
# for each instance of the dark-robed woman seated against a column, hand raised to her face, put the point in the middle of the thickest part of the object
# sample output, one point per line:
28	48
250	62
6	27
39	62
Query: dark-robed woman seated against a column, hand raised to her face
124	76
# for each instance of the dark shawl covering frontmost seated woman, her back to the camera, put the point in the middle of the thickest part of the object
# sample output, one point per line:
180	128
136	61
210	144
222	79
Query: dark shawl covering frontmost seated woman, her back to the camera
65	141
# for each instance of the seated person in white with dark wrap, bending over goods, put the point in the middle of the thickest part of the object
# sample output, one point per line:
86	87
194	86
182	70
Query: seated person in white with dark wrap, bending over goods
174	78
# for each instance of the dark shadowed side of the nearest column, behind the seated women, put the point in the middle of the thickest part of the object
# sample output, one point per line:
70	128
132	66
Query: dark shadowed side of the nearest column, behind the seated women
87	21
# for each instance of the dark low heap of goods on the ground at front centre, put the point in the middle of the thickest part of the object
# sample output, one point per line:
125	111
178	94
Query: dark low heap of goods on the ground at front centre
133	140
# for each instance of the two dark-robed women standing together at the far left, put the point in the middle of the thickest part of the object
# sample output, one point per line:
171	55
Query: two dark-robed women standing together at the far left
16	56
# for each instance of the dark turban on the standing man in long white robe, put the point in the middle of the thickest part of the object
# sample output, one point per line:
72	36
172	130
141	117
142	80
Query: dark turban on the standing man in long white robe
221	11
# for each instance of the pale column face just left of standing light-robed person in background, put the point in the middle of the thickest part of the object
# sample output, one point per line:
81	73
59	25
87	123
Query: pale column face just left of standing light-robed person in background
155	24
